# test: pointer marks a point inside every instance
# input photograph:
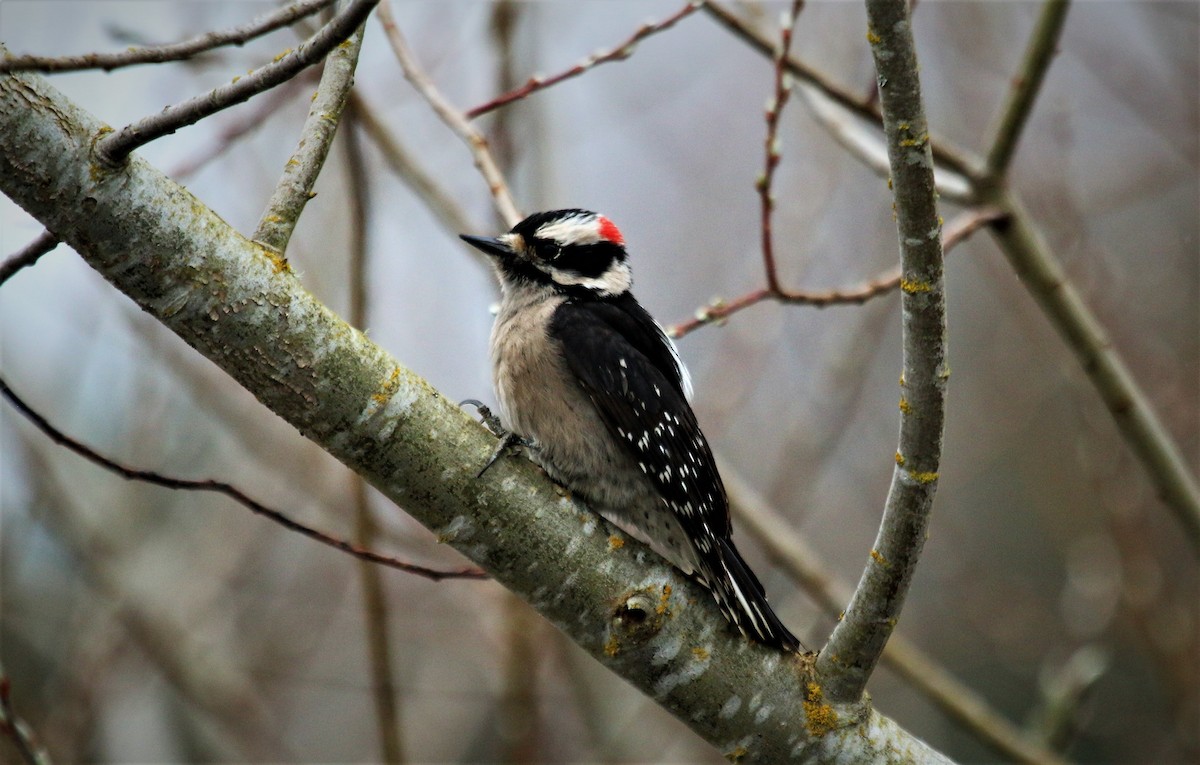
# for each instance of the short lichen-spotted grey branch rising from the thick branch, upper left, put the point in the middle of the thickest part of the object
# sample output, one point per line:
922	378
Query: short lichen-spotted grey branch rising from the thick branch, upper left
295	189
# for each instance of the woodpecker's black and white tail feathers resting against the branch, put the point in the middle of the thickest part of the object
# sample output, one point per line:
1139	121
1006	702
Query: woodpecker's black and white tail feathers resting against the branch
742	599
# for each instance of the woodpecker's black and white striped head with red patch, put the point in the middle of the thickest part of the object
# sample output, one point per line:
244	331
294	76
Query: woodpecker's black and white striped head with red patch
572	251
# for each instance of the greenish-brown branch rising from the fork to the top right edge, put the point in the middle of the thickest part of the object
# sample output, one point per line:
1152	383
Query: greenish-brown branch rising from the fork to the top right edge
1027	85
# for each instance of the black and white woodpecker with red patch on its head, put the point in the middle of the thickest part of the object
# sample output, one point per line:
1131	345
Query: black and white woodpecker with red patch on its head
593	389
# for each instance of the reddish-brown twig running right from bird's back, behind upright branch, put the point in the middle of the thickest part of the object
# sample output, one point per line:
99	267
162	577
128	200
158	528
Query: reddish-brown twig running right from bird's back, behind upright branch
957	232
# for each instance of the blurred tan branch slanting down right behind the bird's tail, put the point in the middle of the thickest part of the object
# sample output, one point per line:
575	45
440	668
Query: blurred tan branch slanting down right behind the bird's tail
799	561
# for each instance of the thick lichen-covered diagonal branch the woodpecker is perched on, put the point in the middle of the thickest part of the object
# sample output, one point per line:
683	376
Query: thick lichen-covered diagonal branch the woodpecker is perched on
233	303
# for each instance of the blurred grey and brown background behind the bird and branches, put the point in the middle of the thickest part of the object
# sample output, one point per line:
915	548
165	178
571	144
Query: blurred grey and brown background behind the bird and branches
145	625
